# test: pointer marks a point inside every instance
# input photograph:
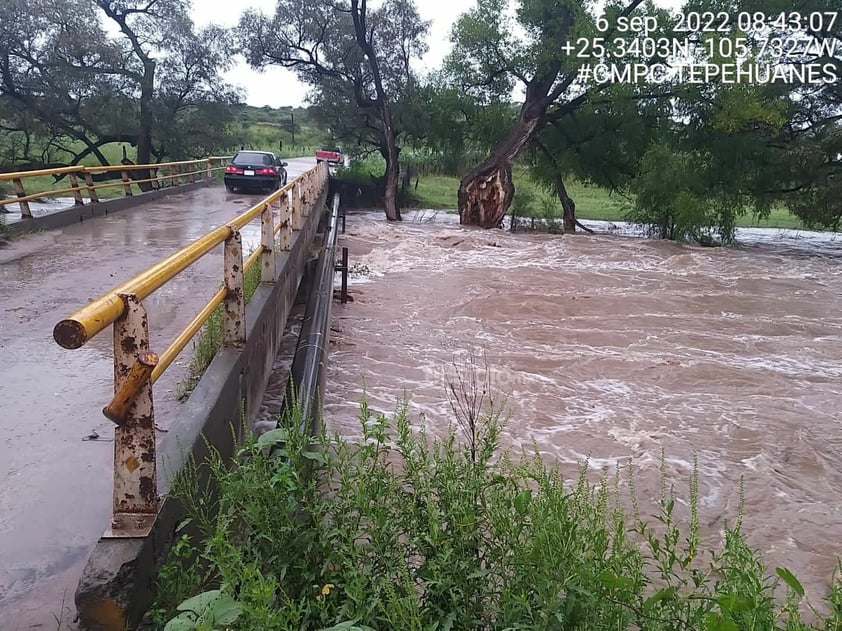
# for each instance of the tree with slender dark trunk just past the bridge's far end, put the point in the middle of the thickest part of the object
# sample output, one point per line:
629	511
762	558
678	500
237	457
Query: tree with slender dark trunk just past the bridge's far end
356	58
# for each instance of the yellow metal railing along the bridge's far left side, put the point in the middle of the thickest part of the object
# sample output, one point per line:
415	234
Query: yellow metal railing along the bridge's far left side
82	179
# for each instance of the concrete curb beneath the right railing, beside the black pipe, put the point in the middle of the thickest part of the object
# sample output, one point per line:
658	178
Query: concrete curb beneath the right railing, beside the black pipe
117	584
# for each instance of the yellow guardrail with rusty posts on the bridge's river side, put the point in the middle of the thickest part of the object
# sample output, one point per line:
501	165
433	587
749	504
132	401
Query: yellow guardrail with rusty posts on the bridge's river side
135	501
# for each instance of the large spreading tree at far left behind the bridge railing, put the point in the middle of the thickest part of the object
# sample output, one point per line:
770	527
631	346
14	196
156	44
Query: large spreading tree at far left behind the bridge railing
143	85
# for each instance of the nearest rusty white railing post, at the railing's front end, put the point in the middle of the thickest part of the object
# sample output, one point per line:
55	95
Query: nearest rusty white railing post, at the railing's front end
135	498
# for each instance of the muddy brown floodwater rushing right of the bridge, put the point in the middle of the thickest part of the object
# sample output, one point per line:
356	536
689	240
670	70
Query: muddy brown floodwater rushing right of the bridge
614	348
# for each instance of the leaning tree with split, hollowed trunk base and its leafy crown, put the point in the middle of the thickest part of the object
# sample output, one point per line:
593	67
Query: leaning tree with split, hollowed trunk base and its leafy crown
489	59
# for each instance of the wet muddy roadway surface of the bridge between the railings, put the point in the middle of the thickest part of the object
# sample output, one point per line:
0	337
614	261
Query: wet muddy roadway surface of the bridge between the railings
55	482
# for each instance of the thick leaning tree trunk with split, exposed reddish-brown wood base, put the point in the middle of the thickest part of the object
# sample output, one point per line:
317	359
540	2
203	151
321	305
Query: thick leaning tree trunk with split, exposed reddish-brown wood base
486	193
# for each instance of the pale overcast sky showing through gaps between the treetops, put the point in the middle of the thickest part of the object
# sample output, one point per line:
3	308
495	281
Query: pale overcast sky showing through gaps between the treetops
277	87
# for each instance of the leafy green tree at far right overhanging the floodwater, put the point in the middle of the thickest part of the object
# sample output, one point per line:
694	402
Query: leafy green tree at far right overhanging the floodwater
738	148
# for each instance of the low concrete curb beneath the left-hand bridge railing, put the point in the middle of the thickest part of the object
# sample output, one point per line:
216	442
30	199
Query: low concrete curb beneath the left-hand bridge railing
78	214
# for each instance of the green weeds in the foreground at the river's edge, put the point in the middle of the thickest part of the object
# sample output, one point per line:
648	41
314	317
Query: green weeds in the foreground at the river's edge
397	531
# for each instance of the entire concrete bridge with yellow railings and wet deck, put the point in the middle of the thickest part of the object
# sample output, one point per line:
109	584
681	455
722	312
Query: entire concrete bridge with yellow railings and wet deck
86	455
